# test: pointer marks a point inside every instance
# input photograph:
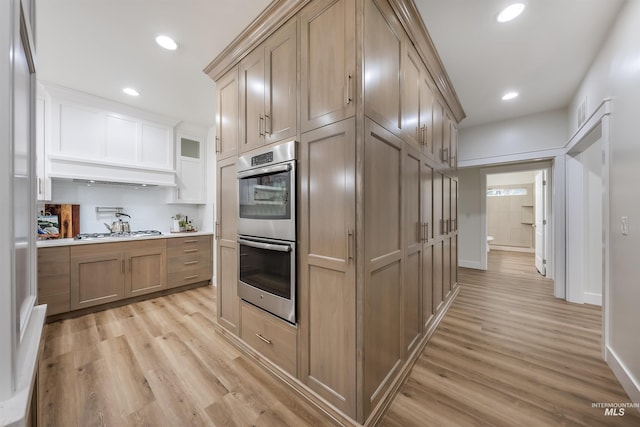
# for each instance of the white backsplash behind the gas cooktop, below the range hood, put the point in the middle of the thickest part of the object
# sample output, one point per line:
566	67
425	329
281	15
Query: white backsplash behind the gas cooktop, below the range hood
146	205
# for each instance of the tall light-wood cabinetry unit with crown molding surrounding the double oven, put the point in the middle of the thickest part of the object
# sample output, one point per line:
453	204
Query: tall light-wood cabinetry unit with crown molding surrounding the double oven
377	196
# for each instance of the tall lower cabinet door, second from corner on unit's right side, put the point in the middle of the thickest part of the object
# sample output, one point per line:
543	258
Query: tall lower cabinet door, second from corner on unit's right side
414	236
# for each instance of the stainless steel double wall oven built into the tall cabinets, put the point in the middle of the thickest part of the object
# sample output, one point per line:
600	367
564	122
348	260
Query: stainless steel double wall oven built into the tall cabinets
267	229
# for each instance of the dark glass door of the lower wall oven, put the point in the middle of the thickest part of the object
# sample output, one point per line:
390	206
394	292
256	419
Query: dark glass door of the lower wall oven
268	266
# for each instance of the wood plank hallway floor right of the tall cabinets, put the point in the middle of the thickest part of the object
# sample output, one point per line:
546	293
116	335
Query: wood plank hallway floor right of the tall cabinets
509	353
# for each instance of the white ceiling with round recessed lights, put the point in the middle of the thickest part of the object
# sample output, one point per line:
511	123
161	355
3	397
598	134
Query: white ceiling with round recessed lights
99	47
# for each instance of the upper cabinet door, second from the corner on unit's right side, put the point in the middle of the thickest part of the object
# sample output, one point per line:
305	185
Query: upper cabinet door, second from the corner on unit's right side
413	130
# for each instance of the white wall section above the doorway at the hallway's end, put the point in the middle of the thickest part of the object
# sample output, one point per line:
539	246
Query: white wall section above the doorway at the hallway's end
530	135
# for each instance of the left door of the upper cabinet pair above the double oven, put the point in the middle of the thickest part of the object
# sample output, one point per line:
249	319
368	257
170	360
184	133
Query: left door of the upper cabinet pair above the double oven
252	100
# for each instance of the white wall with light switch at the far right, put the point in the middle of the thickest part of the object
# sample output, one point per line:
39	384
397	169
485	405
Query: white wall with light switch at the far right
615	74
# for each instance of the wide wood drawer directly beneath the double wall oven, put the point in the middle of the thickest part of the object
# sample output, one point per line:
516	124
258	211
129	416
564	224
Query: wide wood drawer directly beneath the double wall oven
272	337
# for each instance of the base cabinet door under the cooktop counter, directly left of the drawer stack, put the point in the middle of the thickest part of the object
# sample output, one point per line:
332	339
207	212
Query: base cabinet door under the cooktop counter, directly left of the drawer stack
146	269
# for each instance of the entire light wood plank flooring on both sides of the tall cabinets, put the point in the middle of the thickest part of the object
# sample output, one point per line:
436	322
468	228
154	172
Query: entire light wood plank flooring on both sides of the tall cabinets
507	353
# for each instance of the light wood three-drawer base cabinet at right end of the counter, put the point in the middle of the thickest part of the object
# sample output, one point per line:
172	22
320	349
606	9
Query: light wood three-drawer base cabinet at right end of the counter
189	260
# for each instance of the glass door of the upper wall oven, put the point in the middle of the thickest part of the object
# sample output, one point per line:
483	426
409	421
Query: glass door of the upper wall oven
265	194
